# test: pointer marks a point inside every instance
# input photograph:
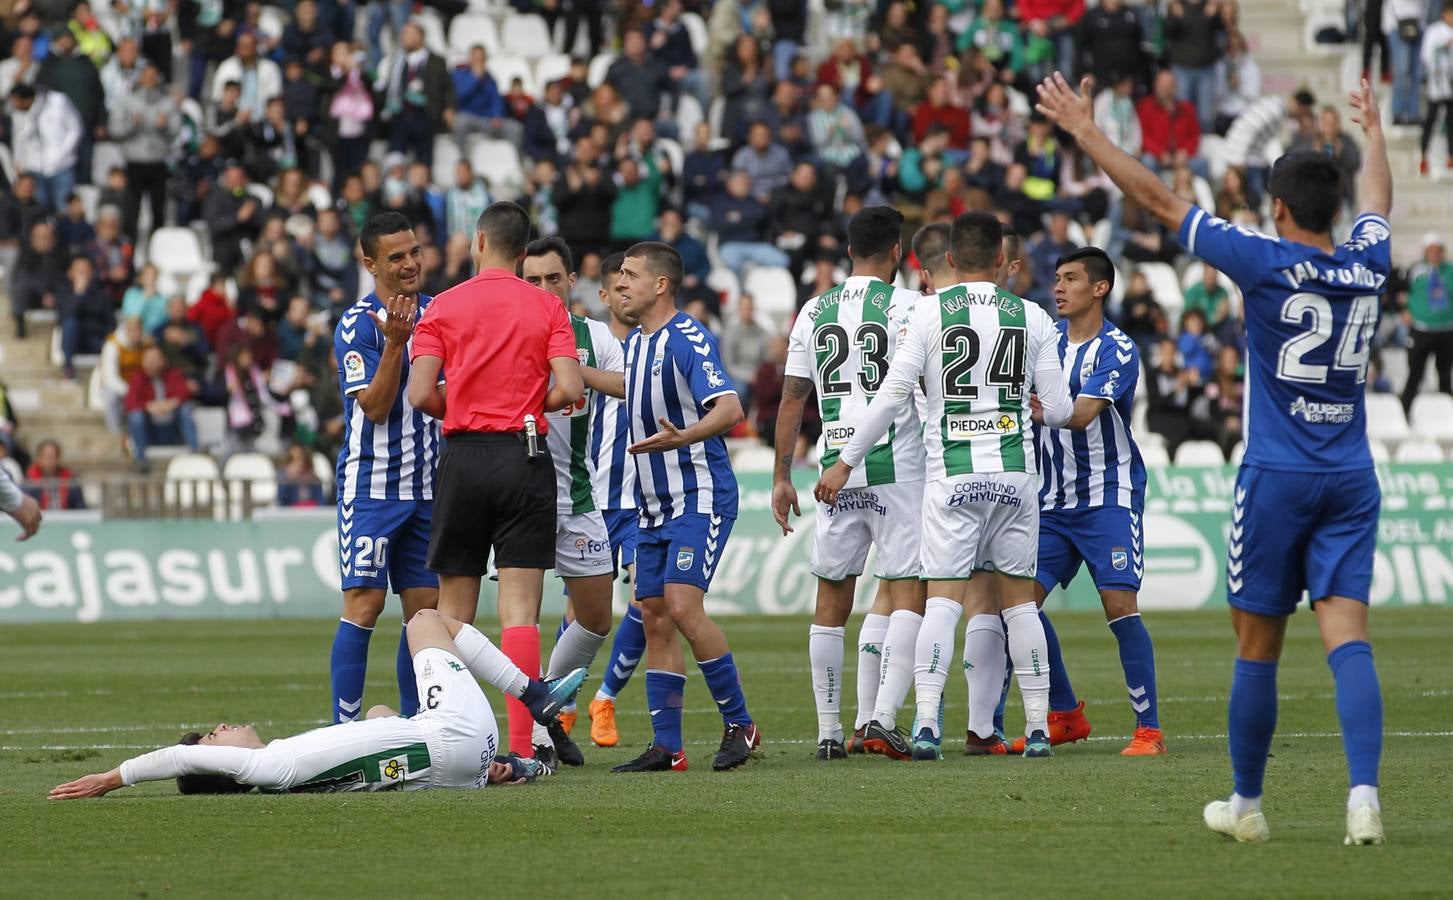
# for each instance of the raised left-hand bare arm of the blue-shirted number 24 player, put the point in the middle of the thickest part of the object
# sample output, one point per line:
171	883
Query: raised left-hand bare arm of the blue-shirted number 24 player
1074	113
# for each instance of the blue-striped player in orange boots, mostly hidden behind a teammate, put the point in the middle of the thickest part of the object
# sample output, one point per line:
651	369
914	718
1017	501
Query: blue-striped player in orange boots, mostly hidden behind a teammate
615	498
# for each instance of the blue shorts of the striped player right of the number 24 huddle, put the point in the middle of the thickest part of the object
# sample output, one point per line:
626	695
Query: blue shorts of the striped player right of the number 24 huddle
1106	539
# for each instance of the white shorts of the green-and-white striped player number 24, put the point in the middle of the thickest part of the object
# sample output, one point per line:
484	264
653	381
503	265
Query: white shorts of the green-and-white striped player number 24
986	523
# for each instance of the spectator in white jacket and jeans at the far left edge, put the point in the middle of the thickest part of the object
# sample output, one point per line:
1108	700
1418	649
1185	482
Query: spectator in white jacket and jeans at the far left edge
46	140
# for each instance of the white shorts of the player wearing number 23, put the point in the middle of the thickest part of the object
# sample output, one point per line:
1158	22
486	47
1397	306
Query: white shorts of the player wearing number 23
887	517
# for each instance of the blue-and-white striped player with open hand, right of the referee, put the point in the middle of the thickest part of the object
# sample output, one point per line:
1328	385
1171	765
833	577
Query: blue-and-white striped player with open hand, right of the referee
681	403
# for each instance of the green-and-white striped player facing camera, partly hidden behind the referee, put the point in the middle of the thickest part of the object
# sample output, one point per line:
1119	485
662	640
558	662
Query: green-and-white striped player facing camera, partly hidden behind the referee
583	558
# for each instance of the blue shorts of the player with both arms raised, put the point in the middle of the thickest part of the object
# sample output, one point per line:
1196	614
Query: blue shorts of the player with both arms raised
1294	533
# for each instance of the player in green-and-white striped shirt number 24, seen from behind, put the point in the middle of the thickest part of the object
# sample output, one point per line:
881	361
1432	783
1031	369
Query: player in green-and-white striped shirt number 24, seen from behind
980	353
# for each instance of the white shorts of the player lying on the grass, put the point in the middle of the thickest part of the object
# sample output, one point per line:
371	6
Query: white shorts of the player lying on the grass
457	720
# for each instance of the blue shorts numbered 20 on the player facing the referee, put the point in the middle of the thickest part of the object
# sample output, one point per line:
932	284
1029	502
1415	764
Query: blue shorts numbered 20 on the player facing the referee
386	542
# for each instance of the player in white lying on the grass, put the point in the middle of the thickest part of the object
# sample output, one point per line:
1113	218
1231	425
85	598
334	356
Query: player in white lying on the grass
451	744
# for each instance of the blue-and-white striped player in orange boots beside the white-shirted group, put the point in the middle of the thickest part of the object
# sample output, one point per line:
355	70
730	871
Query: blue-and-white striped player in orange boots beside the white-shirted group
1093	497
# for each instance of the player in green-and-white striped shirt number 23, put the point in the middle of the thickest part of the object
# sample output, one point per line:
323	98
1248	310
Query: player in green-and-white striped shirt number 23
842	345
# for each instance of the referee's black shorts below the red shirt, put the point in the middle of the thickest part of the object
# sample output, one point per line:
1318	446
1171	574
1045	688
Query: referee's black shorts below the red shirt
490	495
